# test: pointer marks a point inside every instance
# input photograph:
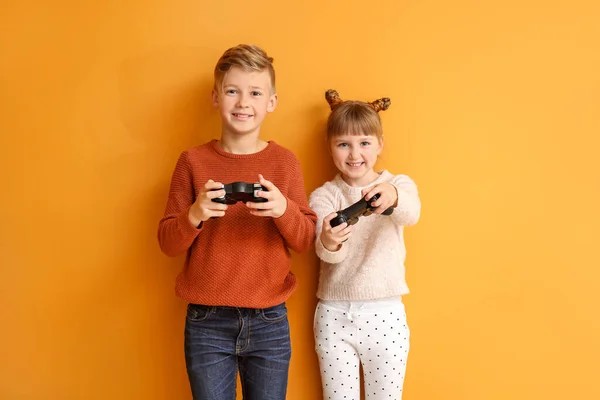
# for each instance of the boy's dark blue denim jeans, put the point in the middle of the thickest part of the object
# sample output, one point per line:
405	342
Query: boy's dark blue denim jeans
219	341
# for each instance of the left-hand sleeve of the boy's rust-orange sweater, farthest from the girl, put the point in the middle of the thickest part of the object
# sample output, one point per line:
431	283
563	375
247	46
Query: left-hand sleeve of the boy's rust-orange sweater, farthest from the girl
175	232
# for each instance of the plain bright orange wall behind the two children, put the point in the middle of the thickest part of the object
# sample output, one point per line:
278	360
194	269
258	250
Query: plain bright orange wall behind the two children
494	114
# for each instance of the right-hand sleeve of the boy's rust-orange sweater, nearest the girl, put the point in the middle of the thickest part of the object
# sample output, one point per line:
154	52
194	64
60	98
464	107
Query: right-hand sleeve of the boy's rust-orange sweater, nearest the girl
297	224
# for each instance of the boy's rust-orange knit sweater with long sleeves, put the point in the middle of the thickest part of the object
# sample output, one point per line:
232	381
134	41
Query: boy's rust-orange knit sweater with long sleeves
238	260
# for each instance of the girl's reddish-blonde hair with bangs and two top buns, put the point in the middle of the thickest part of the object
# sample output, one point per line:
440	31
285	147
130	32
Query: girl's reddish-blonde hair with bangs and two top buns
354	117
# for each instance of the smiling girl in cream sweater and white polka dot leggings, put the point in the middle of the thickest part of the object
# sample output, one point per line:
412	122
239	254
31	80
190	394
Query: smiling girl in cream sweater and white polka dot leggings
360	317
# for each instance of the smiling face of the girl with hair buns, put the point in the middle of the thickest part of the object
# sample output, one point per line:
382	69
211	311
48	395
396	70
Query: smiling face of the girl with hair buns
355	156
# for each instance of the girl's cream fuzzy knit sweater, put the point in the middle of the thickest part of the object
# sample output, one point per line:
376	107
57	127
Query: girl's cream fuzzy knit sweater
370	264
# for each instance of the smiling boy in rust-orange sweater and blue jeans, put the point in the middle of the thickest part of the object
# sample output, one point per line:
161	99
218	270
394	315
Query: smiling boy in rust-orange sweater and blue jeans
236	275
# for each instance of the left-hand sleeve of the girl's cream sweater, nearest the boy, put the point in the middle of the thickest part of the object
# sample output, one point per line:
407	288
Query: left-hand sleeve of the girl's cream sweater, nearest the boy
322	201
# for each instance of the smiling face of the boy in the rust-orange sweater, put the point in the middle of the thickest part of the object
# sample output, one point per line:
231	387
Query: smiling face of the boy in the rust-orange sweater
243	100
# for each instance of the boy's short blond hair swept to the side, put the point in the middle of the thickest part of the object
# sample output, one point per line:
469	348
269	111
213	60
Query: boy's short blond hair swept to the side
249	58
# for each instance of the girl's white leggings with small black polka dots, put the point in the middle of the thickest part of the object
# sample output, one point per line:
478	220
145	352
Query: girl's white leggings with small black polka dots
373	333
